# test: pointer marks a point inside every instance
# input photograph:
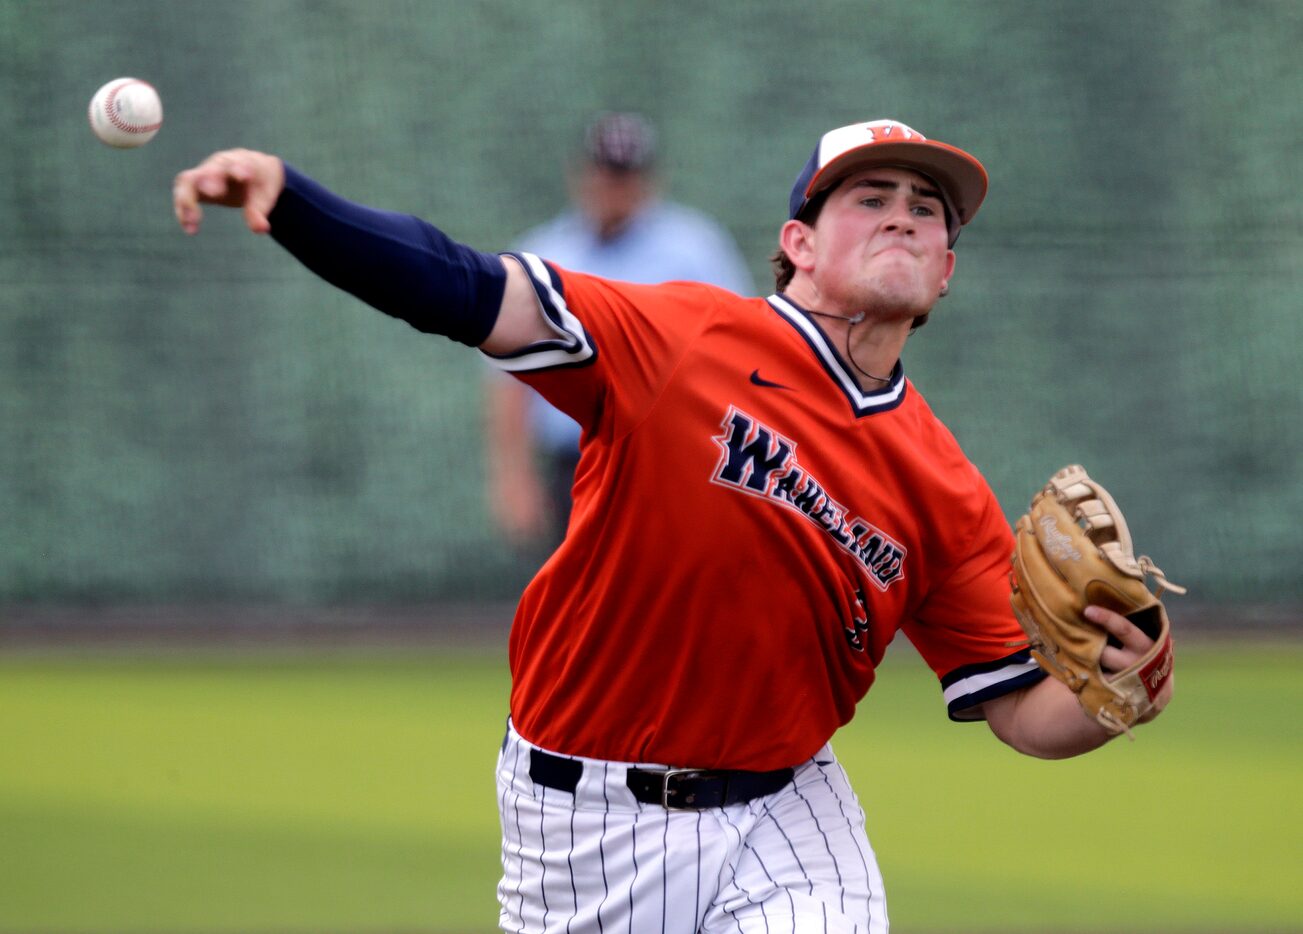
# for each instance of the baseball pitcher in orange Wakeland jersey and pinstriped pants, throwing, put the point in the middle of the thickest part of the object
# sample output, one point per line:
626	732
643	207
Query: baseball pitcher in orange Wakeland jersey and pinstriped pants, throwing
763	502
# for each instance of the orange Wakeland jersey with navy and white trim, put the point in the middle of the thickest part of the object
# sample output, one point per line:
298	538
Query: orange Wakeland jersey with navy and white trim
750	532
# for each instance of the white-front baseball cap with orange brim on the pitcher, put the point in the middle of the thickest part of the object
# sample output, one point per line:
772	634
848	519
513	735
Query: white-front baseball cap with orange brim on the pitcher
889	143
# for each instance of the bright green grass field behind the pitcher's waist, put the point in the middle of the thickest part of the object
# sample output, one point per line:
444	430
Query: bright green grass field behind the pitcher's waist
281	793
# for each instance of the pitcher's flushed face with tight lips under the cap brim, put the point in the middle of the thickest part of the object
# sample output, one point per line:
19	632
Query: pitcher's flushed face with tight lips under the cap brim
881	244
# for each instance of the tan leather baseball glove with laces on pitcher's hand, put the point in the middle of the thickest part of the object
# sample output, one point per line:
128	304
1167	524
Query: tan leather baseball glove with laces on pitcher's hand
1073	550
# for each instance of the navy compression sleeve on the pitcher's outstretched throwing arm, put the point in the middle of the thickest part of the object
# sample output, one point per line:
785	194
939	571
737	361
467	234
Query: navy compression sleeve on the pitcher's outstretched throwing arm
394	262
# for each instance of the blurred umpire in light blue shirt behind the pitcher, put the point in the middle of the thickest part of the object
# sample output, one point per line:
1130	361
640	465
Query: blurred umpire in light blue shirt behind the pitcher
618	227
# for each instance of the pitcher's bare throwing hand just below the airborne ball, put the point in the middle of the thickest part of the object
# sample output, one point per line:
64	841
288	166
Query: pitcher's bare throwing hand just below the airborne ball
234	179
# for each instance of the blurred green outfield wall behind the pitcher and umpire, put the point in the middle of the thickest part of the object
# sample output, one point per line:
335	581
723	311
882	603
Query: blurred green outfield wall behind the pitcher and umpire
201	420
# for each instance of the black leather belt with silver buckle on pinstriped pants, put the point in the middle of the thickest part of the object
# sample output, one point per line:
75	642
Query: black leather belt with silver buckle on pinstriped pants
674	789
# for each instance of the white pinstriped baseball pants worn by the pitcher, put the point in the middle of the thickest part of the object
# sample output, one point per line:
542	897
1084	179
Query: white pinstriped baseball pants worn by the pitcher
599	860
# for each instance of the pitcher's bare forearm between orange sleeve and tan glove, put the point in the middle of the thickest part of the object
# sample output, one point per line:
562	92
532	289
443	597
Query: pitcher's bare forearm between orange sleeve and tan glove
1046	721
